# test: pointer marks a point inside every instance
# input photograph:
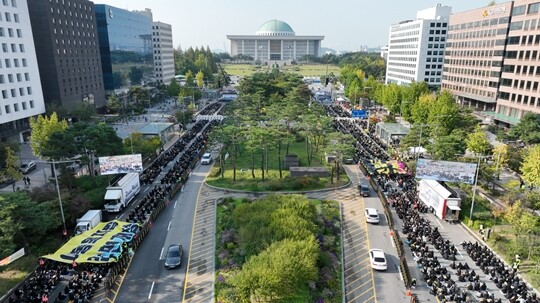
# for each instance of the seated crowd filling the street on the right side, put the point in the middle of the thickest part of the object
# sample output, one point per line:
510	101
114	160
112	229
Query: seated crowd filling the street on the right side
447	279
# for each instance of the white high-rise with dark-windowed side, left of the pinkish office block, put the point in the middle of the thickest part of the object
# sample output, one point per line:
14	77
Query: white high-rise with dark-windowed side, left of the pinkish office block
416	48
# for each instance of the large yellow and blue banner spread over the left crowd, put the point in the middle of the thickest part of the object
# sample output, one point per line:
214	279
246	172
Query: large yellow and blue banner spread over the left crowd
102	244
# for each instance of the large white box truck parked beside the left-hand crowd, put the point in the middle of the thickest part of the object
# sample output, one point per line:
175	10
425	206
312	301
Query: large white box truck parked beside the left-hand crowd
119	195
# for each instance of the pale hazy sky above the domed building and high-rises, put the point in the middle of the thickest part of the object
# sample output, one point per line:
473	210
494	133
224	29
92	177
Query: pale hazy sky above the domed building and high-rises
345	24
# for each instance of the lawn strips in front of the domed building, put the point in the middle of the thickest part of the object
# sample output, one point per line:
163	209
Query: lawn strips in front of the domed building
303	69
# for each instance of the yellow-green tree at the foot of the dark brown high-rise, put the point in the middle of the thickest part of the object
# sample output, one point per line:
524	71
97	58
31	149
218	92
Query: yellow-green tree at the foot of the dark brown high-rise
42	127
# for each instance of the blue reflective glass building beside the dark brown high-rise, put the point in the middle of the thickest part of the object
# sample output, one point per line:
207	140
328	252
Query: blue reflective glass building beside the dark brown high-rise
125	39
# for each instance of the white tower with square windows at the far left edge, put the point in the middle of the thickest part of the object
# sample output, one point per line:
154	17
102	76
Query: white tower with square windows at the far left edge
21	96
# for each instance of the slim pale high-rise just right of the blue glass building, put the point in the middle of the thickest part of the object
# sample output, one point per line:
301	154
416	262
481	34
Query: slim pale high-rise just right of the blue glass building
163	52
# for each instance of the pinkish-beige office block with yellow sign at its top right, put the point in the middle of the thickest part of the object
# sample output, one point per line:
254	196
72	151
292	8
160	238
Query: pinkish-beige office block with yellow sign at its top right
474	55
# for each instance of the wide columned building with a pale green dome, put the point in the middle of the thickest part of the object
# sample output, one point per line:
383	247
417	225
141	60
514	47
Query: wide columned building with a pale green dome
275	42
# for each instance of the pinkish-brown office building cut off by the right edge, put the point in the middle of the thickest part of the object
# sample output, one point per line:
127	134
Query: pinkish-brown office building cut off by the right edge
518	90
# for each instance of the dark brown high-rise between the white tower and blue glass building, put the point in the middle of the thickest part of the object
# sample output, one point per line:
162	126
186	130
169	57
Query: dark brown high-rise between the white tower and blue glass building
65	33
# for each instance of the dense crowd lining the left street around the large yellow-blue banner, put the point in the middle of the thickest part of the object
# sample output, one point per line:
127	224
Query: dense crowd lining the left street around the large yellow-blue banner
82	280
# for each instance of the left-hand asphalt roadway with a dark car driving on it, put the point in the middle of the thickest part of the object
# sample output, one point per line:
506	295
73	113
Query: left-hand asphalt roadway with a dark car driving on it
147	280
